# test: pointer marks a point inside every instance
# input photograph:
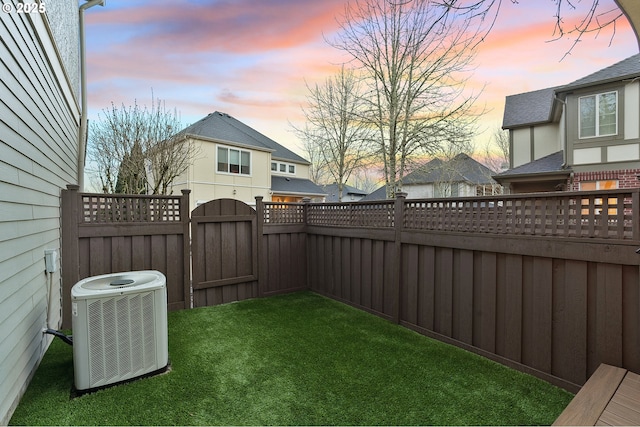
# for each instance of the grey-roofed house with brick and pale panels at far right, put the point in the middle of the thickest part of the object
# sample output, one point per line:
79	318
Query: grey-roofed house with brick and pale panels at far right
581	136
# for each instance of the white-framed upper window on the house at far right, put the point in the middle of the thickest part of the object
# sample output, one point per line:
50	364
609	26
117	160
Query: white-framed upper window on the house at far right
598	115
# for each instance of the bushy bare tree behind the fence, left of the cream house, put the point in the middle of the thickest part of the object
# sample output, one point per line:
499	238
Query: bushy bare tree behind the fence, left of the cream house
137	150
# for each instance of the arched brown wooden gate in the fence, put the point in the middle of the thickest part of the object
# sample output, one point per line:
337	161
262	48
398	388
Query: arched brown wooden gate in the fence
224	252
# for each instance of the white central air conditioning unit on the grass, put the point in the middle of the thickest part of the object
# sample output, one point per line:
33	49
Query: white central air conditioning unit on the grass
119	328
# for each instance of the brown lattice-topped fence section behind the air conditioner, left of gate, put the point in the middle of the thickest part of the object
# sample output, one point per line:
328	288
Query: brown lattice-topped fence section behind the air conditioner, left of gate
108	233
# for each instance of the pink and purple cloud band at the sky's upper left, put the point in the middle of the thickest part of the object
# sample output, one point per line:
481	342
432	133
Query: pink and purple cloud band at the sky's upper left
239	27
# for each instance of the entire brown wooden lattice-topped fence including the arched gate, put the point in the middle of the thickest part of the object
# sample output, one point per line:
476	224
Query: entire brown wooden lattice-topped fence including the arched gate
545	283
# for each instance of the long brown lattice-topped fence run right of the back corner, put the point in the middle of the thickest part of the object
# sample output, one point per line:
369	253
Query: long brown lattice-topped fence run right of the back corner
546	283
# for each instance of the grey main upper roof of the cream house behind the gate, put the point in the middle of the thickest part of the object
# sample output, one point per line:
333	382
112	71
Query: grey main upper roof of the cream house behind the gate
223	127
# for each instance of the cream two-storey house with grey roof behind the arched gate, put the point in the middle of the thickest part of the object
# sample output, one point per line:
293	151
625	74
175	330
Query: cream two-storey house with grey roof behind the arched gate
236	161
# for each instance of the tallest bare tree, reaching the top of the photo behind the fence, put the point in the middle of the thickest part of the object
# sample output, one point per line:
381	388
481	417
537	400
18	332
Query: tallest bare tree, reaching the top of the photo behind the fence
415	58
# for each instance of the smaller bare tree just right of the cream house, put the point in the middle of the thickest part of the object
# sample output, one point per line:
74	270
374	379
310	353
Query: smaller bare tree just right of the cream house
335	126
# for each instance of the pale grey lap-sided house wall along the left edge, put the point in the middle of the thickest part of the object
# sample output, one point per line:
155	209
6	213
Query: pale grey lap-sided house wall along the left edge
39	124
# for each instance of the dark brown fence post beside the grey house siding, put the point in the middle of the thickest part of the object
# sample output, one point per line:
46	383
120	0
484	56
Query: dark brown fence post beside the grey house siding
70	253
